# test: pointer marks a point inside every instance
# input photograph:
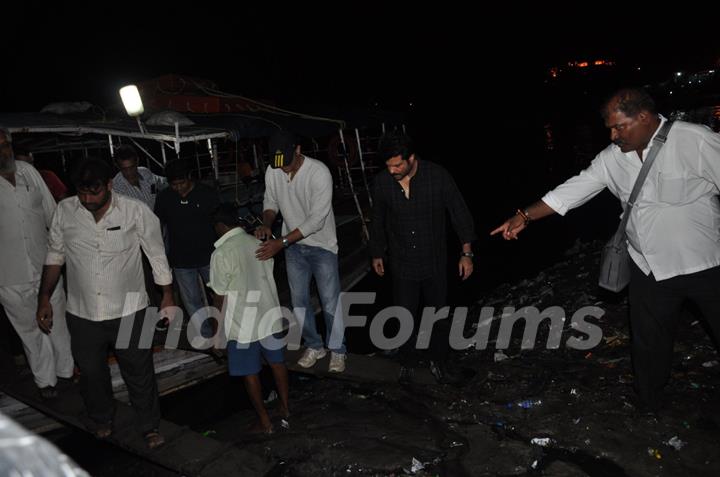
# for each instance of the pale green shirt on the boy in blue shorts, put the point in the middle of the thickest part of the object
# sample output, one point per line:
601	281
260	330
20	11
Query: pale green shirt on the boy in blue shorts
248	286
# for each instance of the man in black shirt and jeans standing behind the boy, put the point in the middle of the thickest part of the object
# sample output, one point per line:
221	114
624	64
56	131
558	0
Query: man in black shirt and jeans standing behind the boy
184	209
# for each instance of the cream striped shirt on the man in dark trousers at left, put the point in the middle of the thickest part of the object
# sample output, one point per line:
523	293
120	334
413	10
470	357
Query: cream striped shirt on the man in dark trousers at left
104	270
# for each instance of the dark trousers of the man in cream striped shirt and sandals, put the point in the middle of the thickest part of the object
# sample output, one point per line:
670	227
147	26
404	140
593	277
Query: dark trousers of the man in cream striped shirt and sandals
90	342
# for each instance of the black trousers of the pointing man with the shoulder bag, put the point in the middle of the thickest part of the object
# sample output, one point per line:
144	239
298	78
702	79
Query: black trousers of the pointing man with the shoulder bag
655	309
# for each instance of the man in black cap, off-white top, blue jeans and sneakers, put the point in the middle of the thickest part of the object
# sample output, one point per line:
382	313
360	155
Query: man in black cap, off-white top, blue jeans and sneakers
300	188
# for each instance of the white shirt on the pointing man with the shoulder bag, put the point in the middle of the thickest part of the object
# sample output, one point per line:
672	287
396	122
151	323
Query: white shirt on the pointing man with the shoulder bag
674	227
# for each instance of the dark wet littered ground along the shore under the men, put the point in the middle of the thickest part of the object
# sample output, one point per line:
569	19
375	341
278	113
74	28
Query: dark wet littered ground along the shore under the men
553	412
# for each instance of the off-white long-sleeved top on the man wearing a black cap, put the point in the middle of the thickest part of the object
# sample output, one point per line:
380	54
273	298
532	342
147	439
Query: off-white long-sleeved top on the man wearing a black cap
305	202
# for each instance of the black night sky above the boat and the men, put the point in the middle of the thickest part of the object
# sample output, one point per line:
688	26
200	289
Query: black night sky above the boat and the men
357	55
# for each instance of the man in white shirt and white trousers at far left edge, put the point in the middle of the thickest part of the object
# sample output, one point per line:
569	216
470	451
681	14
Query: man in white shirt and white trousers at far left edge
26	208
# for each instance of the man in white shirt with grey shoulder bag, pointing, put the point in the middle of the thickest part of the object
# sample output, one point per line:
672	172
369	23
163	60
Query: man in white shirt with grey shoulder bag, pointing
673	231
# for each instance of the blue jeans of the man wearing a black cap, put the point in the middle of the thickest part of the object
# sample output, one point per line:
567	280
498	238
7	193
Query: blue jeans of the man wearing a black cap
303	262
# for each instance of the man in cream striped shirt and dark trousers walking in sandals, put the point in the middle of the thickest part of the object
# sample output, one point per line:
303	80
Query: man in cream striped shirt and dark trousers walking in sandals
98	235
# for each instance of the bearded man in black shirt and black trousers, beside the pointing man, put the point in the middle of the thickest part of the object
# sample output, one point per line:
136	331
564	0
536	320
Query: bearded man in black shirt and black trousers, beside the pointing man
411	200
